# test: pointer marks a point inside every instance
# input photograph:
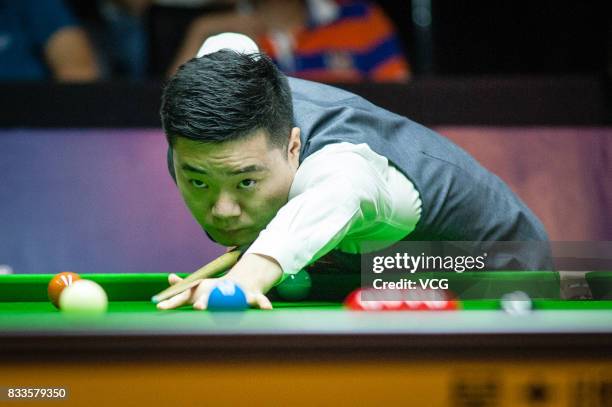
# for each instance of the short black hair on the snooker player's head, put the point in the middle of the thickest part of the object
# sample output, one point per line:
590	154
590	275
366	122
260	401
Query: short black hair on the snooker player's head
225	96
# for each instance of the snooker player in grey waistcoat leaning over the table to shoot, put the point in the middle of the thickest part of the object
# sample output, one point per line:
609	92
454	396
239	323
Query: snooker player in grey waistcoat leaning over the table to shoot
294	169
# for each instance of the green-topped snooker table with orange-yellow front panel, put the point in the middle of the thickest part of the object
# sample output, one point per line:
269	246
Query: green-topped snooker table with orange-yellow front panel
312	352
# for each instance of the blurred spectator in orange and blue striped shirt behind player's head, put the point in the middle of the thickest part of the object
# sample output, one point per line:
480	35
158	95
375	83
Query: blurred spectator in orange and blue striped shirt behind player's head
322	40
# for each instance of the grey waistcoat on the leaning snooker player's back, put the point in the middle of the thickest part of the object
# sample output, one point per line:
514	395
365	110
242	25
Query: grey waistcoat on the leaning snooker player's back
461	201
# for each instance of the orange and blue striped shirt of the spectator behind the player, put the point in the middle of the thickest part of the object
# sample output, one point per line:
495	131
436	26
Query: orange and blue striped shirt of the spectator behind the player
343	41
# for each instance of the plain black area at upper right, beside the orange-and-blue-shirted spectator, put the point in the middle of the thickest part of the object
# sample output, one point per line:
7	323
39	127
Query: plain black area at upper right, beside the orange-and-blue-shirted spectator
506	36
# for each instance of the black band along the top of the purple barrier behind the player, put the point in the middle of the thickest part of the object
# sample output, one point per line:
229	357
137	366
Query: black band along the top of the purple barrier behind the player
522	100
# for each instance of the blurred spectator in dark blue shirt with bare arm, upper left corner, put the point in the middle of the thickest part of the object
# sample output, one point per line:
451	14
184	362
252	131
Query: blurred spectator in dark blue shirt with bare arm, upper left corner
42	40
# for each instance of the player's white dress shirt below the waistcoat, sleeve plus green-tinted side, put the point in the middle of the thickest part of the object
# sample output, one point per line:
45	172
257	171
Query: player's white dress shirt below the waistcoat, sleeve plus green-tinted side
345	197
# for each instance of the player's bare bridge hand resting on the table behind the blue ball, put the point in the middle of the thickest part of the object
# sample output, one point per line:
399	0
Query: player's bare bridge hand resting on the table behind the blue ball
255	274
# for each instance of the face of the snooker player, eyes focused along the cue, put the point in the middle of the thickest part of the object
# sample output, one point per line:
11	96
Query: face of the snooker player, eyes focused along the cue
234	188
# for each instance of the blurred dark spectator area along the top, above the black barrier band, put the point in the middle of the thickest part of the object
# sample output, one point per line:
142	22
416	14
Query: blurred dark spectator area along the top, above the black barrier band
382	40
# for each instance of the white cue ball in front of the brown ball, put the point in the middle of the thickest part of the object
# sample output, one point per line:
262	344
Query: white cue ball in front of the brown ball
84	296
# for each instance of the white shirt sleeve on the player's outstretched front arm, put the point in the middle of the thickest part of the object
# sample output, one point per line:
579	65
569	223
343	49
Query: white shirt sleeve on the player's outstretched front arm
337	192
